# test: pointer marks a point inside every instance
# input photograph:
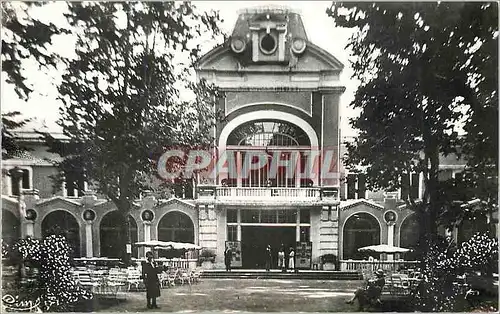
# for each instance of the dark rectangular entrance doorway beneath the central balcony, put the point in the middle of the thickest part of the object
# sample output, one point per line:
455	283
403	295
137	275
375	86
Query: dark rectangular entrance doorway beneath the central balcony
254	240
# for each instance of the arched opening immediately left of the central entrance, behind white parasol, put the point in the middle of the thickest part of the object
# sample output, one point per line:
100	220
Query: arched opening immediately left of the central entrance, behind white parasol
175	226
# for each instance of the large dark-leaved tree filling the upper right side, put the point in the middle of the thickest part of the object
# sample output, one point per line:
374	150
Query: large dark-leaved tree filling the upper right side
425	68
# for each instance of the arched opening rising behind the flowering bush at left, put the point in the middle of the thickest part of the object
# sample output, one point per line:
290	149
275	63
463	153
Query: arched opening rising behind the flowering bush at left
62	222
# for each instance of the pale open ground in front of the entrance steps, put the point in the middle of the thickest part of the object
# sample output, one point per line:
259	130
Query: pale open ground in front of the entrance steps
255	295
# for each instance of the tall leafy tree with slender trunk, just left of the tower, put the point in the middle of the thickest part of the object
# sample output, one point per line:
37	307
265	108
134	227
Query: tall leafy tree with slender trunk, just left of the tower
122	102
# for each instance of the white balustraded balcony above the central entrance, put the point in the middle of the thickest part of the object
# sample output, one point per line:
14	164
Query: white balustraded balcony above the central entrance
253	195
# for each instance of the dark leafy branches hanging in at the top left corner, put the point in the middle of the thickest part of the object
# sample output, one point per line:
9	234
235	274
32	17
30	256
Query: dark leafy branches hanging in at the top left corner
23	37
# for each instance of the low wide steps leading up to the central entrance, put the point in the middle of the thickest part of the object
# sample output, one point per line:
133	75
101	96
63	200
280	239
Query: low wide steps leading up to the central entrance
277	274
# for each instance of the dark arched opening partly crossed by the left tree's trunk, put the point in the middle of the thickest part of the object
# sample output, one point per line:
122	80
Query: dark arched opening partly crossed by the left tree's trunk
110	231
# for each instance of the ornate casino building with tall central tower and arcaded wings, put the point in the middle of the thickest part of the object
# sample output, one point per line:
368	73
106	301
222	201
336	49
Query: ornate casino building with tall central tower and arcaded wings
282	100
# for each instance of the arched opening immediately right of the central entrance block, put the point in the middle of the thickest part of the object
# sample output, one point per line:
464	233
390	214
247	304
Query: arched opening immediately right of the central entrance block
361	229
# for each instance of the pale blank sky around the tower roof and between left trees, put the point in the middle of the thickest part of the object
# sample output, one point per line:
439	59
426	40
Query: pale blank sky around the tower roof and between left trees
43	106
